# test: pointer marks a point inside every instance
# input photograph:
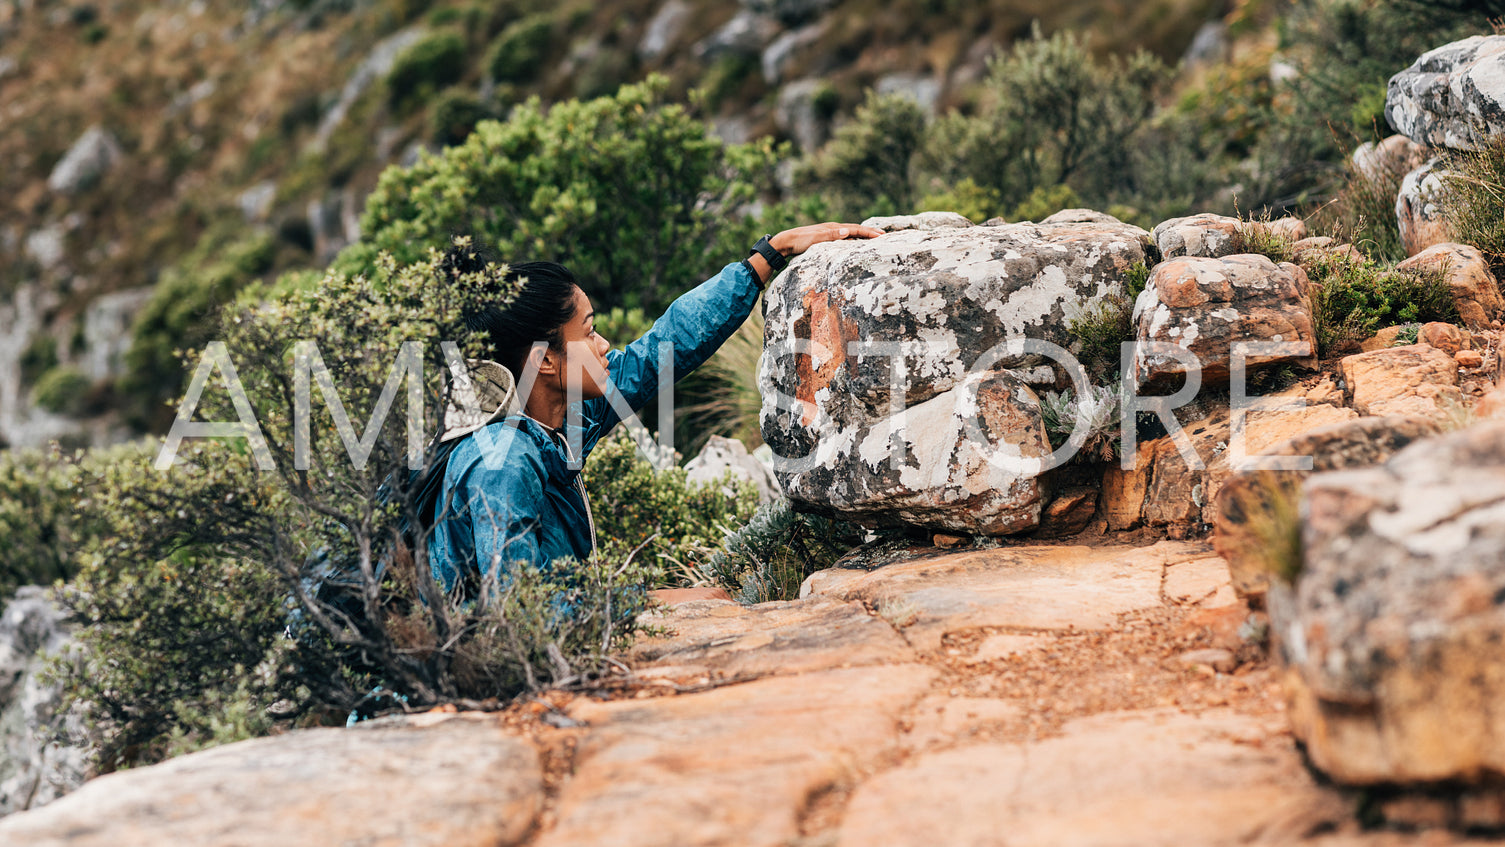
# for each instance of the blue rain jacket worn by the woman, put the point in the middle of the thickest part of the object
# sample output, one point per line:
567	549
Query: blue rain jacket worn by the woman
509	493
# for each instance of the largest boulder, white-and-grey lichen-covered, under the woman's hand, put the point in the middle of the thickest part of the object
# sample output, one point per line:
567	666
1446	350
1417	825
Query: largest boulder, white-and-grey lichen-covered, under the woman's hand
857	330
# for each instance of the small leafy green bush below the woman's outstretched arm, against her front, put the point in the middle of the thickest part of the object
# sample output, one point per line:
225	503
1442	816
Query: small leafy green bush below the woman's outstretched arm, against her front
680	523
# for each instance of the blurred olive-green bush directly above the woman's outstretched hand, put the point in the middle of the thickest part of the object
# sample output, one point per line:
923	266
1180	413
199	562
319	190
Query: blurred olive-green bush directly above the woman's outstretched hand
866	168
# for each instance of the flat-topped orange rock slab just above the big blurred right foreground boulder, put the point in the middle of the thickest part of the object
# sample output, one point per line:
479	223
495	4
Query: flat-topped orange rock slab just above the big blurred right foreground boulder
1414	380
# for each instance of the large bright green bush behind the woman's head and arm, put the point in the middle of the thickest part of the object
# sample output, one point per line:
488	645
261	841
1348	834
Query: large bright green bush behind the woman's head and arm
630	192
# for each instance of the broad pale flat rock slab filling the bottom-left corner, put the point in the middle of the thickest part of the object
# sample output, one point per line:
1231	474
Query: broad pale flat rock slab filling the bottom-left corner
452	783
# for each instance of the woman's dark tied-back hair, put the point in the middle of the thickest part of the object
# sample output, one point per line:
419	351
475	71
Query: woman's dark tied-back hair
538	314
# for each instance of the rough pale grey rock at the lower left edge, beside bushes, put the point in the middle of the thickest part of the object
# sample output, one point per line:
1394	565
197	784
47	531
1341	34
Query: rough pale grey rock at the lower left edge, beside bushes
43	751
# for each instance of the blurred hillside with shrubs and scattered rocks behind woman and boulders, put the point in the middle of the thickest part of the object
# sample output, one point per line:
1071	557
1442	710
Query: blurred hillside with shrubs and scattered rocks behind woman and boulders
159	159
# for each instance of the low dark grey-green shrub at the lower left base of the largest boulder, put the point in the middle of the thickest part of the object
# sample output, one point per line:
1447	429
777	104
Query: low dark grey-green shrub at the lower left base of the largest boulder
777	550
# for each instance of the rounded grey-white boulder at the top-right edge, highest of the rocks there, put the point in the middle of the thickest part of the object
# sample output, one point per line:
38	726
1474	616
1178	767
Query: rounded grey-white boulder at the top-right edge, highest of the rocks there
1453	97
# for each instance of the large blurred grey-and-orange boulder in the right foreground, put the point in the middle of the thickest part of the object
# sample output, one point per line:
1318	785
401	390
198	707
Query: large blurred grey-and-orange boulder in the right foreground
1393	633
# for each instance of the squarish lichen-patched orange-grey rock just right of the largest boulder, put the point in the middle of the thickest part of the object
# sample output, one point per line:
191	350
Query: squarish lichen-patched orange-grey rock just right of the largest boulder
1208	306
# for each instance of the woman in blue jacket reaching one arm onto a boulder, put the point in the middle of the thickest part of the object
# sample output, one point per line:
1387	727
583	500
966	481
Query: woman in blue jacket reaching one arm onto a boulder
512	490
